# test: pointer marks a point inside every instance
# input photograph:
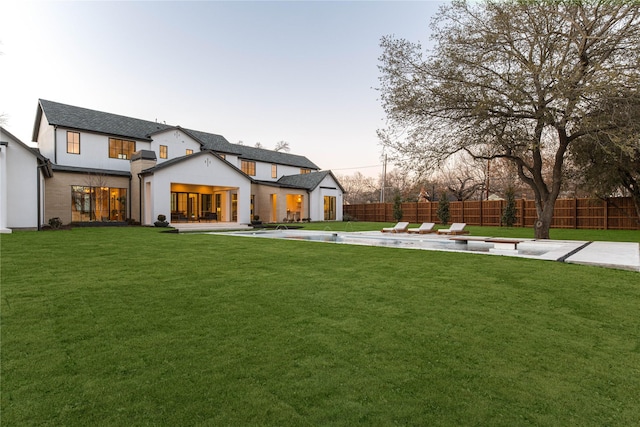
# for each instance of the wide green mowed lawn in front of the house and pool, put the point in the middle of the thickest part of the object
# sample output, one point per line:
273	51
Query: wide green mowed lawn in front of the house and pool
133	326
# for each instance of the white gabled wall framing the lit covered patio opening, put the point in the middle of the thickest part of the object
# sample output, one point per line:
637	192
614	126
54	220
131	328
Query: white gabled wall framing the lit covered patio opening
199	170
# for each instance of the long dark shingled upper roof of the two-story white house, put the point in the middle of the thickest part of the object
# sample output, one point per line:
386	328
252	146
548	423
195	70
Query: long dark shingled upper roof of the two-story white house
79	118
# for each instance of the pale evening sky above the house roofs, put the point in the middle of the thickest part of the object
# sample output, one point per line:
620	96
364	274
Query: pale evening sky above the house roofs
296	71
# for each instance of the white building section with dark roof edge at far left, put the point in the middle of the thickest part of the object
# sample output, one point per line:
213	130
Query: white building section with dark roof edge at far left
23	171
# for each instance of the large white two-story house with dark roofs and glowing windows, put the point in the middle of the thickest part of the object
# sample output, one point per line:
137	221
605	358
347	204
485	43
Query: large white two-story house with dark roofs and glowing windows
91	166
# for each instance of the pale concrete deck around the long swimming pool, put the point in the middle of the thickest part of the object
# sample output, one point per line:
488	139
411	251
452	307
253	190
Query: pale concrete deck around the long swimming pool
618	255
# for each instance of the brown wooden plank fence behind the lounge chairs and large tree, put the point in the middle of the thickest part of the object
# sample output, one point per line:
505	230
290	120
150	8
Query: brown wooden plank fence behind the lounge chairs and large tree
612	214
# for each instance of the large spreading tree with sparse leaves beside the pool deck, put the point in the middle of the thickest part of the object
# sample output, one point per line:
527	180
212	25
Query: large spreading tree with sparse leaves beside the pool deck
510	80
